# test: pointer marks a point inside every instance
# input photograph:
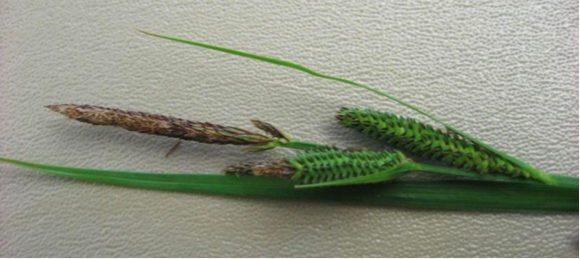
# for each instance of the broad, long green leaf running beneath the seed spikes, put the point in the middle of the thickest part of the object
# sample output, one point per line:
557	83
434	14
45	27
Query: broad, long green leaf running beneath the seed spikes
459	195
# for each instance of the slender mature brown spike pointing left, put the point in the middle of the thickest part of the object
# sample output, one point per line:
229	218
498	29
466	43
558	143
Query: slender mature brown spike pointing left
161	125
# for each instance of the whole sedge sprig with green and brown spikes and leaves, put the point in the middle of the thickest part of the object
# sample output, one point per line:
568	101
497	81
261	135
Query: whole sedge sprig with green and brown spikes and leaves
489	179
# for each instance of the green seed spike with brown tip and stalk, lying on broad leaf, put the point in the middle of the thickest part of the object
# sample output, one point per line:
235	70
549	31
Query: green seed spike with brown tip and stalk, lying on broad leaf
335	167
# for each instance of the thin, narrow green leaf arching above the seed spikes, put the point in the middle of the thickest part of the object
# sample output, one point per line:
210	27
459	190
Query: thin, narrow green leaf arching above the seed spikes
542	176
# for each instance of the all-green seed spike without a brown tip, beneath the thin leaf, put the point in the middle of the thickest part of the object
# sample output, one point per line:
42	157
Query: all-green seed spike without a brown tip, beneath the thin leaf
424	140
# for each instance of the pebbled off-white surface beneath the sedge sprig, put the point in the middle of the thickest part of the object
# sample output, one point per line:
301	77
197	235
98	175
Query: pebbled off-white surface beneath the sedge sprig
506	71
